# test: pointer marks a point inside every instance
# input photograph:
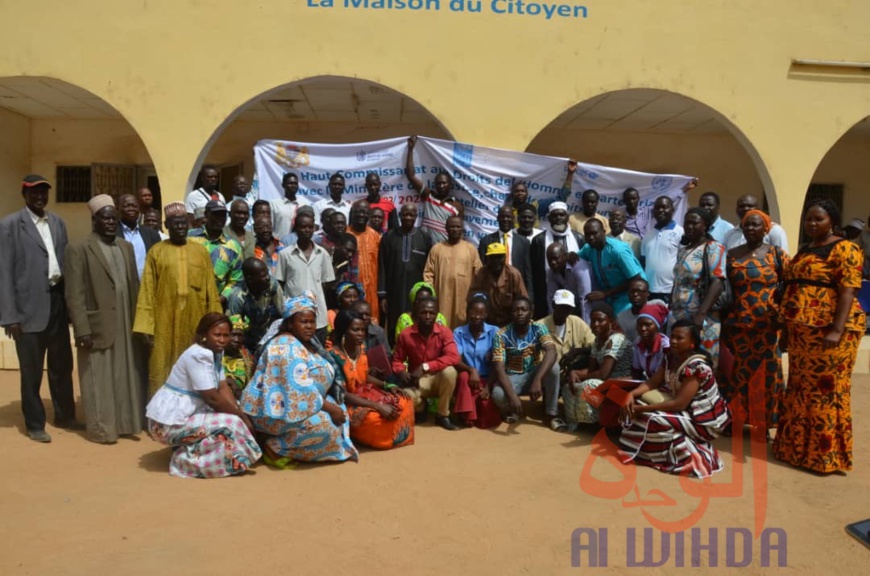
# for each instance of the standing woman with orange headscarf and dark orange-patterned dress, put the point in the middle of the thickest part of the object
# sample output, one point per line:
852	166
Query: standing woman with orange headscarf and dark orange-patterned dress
752	328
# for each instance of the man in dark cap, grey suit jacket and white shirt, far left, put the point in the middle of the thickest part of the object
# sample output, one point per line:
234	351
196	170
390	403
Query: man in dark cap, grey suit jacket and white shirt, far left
32	308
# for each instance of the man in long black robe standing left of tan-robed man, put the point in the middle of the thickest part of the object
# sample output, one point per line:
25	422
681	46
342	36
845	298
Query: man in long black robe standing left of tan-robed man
402	257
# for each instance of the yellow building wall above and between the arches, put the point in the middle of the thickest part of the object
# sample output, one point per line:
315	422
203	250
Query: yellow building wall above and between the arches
179	70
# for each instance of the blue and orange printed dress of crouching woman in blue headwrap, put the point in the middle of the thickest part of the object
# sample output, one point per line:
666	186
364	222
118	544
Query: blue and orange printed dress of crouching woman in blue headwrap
284	400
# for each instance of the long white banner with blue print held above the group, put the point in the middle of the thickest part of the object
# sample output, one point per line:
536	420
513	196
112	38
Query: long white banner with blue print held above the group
482	176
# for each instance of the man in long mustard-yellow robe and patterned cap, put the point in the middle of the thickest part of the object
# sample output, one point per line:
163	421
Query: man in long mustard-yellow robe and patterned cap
178	288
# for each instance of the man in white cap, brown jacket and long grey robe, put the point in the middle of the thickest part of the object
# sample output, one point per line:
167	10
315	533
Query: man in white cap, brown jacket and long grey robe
102	284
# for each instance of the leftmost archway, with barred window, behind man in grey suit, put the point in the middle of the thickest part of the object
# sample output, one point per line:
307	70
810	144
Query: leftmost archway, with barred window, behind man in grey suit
77	140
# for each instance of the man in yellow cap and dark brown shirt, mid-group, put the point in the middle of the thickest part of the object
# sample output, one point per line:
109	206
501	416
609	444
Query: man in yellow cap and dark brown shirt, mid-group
501	283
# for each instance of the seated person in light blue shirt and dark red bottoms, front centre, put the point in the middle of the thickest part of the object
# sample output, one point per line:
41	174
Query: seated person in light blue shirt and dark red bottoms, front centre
474	343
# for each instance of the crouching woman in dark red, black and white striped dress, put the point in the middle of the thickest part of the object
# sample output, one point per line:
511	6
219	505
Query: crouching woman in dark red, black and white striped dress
673	435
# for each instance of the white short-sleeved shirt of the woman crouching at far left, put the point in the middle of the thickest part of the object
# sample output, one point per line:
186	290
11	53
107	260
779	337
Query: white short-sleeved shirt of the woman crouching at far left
197	368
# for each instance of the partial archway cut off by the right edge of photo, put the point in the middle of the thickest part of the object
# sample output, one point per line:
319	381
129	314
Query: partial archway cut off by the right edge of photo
843	175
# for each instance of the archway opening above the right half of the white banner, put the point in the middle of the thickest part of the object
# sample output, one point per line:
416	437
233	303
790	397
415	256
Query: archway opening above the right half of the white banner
657	131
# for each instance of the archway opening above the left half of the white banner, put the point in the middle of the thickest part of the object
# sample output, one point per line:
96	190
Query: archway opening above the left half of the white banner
324	109
